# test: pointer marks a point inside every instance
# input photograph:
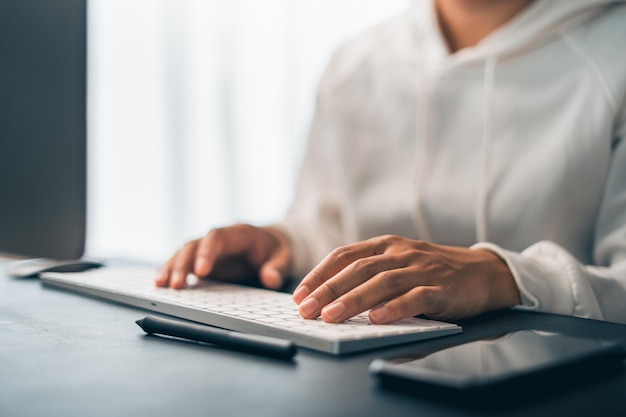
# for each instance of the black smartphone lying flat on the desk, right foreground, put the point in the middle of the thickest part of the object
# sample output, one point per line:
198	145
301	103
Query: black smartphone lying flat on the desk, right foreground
498	373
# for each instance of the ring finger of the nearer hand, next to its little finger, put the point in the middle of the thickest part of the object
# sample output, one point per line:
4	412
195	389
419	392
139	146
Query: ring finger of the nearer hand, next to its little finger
386	285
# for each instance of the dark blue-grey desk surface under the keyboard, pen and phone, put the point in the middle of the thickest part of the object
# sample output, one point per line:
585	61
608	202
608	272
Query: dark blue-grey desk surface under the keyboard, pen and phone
63	354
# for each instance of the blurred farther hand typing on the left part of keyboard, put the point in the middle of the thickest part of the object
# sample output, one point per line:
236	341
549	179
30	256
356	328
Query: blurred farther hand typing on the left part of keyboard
231	253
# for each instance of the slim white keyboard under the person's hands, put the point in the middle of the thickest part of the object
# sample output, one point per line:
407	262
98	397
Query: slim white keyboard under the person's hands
245	309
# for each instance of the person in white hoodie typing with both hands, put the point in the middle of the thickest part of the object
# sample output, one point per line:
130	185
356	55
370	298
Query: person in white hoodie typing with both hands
466	156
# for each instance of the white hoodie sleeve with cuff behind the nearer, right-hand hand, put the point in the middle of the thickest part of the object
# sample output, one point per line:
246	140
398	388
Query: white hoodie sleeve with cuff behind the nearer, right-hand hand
552	280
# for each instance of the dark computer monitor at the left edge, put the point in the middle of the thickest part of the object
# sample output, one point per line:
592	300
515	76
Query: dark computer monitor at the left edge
43	128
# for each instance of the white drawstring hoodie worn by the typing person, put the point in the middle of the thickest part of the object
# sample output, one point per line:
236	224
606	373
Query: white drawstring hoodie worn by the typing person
517	145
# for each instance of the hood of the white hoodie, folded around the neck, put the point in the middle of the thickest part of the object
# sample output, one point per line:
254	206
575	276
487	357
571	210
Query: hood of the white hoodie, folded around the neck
539	21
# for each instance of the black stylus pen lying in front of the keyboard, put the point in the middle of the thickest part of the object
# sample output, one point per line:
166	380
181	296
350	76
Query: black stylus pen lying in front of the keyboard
250	343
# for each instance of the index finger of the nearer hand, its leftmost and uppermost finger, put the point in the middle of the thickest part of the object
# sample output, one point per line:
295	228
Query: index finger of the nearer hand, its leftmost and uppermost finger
332	264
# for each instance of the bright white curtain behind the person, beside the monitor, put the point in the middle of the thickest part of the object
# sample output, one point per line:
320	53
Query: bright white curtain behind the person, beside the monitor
199	112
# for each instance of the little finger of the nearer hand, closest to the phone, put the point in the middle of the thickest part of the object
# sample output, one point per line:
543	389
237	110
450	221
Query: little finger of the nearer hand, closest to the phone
427	300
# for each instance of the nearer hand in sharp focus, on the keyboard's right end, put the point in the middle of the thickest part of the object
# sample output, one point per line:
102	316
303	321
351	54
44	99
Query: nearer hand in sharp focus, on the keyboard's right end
398	278
